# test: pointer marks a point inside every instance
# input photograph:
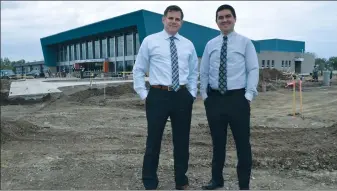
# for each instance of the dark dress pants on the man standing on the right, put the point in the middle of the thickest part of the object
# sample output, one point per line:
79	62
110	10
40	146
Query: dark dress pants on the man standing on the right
233	109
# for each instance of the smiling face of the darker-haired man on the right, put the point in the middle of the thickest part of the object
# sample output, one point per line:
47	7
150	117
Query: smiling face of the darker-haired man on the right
225	21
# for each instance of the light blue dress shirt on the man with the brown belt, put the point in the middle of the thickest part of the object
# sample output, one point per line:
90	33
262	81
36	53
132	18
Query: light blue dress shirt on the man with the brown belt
154	58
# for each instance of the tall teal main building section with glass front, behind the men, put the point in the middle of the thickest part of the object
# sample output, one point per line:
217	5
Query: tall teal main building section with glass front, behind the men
115	40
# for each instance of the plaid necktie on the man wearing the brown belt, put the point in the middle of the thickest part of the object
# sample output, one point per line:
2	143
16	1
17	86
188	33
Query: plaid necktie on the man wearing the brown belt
175	68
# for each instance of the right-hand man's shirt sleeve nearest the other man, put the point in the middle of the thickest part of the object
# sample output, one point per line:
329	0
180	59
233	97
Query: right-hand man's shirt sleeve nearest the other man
204	73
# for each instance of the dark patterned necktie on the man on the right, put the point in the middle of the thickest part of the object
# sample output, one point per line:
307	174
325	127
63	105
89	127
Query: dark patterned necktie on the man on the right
223	67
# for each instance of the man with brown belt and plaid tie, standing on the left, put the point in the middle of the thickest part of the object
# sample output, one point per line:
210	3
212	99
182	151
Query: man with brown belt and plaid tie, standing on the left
172	64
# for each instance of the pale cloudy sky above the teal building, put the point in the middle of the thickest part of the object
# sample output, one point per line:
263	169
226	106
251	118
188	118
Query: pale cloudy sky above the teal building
23	23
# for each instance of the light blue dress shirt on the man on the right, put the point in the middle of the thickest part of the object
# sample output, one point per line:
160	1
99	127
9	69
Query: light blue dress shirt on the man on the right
242	65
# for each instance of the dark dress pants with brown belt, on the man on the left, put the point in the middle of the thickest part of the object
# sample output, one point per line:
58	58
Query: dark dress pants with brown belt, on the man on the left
160	104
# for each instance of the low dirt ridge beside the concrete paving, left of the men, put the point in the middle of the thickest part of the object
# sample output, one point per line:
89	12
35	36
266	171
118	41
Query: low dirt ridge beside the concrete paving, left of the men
114	91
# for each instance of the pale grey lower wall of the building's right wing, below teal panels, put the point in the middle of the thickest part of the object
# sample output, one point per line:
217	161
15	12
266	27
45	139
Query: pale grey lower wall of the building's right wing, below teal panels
287	57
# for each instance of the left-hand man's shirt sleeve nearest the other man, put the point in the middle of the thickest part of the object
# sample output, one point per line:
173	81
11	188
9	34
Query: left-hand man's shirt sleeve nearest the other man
193	72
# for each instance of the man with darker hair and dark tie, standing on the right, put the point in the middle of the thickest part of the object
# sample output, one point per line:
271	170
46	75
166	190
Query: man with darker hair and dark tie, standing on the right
229	74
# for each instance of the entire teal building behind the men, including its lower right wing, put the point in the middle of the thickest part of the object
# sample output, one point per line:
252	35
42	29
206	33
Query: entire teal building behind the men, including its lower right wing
118	39
